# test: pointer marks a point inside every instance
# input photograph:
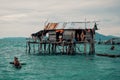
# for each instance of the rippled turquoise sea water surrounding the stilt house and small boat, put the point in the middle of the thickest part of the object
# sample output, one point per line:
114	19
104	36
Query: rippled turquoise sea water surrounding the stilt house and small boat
57	67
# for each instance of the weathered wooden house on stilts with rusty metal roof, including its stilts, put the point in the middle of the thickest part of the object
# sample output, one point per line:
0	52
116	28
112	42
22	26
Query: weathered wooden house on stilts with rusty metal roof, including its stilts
63	38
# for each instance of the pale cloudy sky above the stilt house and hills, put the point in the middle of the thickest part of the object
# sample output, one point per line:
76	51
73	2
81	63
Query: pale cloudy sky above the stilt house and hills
21	18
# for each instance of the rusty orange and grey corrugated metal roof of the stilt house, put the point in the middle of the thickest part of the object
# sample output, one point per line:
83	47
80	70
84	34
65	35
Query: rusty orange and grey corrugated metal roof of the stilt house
68	25
